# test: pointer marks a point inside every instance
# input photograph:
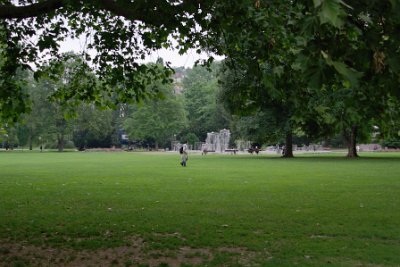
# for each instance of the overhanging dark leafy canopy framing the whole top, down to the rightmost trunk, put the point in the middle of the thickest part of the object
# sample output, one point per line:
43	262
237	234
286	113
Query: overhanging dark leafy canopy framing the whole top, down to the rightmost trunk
315	60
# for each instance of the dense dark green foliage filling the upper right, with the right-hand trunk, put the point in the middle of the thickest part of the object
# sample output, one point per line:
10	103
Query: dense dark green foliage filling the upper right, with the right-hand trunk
304	54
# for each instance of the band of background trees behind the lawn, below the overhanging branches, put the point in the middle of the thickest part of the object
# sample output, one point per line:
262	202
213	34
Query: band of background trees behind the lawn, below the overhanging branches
203	100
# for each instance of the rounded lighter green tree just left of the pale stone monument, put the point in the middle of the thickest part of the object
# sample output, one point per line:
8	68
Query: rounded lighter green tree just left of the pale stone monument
157	119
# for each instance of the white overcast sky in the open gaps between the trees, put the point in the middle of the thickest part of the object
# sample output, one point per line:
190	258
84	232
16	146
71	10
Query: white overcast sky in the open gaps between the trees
187	60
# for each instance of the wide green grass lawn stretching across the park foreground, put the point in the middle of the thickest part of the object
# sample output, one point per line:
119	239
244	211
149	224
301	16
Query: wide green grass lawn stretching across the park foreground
144	209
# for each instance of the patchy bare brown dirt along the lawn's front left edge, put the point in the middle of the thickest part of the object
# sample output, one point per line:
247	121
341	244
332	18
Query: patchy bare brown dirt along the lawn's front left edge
134	254
